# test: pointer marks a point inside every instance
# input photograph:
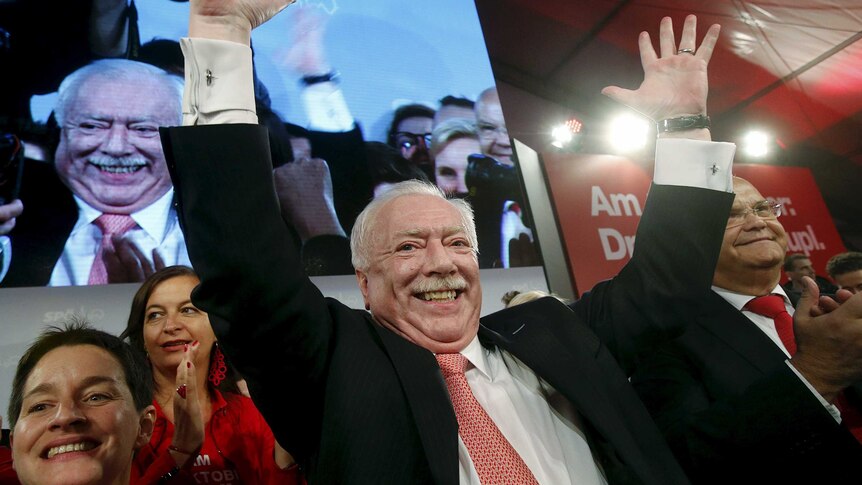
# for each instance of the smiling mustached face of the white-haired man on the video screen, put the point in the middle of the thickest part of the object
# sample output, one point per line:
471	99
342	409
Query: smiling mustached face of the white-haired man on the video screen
110	153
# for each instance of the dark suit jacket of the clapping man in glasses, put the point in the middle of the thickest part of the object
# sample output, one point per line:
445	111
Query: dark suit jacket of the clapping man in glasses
734	412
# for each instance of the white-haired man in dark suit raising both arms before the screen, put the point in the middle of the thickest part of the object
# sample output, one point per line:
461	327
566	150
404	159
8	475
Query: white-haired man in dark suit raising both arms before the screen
418	389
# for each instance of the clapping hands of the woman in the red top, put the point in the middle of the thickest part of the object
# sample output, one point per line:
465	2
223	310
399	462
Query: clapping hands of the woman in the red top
188	418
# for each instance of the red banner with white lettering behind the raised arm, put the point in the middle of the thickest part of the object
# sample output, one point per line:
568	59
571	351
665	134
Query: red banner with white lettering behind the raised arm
599	201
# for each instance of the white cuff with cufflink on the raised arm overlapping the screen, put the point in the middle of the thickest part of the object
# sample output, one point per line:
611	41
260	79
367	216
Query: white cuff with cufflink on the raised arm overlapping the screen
219	82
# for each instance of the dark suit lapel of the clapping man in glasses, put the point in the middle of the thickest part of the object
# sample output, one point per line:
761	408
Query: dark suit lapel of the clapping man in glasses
741	335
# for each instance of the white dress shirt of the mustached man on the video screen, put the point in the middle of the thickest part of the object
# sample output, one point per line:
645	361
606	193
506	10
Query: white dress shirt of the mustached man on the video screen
158	228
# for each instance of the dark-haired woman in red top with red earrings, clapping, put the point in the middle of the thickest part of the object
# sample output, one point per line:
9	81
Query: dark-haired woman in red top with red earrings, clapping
205	431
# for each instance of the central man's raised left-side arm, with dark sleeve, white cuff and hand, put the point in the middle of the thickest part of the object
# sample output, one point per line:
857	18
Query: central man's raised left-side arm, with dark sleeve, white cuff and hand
273	323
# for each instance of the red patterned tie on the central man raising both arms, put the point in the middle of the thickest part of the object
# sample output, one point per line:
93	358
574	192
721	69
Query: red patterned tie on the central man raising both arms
495	460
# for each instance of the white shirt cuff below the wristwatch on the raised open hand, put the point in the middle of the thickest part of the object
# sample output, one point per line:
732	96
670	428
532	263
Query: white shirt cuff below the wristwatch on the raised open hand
694	163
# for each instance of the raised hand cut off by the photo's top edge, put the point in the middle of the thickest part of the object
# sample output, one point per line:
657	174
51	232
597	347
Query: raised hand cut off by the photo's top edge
231	20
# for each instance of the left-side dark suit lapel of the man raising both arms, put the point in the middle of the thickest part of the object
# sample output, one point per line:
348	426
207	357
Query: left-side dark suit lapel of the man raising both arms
429	401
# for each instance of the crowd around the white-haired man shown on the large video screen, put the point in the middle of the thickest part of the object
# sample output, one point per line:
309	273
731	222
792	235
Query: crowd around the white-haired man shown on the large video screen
103	213
